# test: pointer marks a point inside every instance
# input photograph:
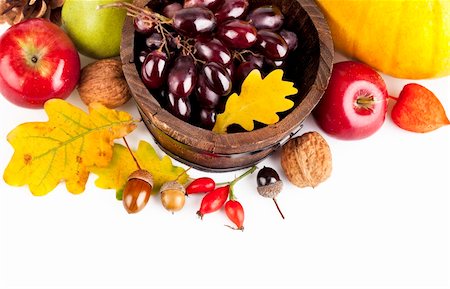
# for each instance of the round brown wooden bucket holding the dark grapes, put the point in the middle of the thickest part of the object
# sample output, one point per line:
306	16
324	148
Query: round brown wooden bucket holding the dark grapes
206	150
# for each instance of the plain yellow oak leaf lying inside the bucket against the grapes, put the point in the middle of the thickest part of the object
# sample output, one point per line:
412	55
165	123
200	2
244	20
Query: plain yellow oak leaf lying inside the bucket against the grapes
260	100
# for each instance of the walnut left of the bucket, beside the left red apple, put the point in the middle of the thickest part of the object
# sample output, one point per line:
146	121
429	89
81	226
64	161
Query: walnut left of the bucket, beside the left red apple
103	81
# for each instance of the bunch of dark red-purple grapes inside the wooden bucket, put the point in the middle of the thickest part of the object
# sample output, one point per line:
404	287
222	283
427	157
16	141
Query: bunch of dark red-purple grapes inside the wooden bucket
192	55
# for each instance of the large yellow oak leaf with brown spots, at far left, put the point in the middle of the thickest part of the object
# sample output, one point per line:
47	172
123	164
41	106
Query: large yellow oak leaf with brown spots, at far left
64	147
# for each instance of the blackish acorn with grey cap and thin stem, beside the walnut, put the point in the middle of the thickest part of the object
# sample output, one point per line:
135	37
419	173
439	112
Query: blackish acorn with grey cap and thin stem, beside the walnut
269	185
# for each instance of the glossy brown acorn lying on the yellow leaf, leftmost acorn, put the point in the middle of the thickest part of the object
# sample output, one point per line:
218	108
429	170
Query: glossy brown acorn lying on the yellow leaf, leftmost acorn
137	191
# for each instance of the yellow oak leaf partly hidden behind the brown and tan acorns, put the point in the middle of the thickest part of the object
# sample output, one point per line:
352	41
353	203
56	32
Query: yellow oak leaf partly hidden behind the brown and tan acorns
116	174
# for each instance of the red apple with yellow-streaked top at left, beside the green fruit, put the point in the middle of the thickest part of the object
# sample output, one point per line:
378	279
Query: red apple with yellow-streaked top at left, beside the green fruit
38	61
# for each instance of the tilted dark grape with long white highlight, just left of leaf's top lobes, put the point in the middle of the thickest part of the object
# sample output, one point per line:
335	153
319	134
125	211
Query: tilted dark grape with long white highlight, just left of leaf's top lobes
217	78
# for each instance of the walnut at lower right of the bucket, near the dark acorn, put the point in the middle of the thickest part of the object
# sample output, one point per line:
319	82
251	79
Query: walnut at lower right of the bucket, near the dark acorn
306	160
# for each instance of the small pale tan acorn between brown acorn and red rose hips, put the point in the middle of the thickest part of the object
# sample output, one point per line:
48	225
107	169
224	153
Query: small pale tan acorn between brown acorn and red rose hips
172	196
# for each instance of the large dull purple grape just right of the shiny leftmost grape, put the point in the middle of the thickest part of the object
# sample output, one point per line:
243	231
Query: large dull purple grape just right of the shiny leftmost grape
182	76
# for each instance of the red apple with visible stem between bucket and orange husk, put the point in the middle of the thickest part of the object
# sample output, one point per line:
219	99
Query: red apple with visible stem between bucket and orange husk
355	103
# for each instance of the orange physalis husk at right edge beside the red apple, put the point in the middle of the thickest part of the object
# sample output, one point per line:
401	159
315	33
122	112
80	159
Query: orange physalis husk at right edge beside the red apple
418	110
